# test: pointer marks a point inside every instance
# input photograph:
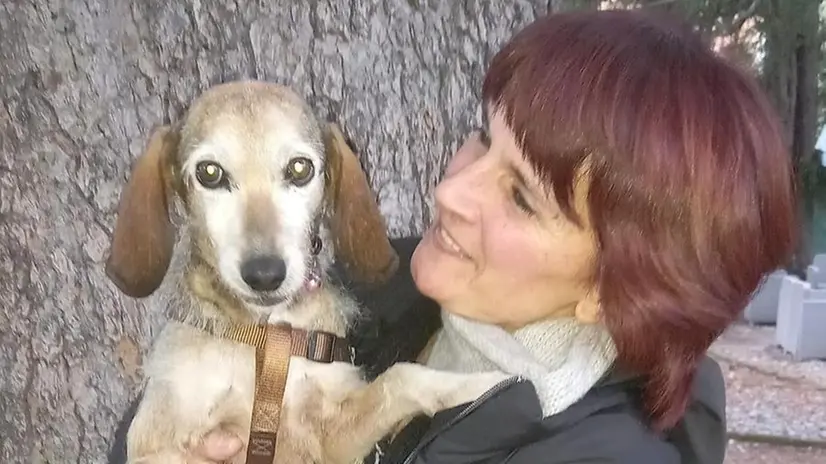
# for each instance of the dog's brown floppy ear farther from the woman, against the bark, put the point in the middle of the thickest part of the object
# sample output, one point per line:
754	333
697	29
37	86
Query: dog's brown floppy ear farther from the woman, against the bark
144	236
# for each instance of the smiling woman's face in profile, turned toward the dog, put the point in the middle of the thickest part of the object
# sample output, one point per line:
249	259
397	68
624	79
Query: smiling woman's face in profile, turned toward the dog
500	250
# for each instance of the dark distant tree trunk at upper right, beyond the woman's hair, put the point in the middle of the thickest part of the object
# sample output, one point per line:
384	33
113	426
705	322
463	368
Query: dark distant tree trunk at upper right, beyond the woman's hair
790	73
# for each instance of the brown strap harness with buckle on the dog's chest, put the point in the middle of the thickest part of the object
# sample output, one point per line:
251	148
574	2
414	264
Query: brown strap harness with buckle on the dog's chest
274	344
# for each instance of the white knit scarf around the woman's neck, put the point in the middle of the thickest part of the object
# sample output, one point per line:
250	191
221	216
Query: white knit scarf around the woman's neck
563	358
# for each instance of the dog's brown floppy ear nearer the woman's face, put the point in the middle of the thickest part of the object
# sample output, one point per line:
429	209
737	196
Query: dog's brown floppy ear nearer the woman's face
358	228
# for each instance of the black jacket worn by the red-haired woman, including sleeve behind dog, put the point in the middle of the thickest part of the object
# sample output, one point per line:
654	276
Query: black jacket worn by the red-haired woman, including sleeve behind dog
505	426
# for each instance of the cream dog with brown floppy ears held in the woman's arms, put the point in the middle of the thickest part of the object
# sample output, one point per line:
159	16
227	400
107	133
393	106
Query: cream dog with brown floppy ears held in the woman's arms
233	216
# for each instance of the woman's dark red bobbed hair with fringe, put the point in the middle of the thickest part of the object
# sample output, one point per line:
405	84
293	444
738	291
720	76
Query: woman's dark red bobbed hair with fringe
691	192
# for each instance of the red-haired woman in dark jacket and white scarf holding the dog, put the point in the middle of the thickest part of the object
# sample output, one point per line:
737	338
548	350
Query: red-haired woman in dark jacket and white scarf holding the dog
627	197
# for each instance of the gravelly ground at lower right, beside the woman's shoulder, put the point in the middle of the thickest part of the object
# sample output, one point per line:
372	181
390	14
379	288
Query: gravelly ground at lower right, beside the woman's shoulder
776	407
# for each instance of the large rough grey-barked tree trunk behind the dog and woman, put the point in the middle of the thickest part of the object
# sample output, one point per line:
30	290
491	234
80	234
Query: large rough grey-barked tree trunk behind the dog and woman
83	84
